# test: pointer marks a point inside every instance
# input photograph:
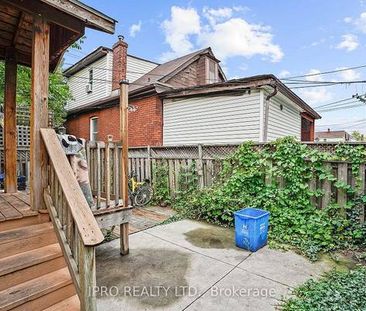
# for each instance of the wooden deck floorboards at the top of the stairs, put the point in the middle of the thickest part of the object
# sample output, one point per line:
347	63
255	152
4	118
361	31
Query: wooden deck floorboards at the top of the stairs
15	206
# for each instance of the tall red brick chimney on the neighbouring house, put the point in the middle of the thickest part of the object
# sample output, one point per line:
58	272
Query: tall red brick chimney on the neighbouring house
119	62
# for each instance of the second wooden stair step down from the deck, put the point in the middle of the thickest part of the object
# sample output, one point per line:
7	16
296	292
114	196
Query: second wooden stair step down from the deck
25	266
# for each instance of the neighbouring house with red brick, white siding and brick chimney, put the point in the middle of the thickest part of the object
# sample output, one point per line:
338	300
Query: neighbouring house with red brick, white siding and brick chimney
188	101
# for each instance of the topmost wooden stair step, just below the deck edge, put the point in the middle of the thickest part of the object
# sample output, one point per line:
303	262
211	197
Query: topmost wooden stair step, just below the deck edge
26	238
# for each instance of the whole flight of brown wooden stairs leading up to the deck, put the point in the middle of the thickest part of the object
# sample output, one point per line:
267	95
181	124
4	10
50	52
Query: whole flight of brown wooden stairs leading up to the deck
33	271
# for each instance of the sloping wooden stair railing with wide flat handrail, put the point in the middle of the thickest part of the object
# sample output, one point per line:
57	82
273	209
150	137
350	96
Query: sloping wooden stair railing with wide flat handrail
76	228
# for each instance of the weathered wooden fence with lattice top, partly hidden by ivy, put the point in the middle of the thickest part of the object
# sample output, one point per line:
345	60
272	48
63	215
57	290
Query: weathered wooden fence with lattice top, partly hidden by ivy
205	162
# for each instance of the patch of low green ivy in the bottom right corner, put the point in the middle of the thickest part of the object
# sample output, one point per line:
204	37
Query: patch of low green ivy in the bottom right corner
343	291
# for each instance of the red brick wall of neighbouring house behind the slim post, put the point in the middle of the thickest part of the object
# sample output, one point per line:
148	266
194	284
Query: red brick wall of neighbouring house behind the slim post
145	125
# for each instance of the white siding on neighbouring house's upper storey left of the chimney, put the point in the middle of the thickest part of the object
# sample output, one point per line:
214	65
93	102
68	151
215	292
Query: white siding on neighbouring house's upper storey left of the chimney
101	83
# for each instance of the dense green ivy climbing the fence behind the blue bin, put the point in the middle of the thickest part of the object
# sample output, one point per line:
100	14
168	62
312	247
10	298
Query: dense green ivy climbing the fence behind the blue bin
288	166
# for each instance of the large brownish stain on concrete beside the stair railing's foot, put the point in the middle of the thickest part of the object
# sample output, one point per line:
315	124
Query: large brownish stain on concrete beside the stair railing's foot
151	277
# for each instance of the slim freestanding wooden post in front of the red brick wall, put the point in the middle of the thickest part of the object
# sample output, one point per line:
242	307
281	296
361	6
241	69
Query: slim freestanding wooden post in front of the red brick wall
123	108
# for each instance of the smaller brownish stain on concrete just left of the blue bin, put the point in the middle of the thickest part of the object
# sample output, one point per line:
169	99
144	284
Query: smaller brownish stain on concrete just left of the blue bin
215	237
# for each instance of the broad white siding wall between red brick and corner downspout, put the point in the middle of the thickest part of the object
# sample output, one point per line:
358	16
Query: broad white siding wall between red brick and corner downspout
211	120
